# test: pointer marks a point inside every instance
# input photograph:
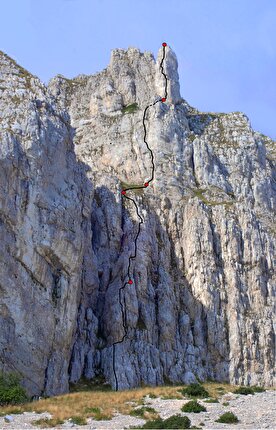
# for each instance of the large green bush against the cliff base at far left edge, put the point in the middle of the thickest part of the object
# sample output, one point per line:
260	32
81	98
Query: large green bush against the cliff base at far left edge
11	391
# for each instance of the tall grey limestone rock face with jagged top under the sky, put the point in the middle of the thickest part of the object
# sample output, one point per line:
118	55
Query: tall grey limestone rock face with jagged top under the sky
200	305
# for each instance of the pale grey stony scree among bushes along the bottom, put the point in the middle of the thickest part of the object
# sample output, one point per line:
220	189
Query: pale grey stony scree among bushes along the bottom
254	412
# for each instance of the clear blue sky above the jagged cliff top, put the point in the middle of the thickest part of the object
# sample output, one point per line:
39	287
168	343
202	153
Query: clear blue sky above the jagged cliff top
227	61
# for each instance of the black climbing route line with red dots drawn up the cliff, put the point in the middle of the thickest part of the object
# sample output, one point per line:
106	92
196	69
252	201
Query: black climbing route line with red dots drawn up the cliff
122	298
